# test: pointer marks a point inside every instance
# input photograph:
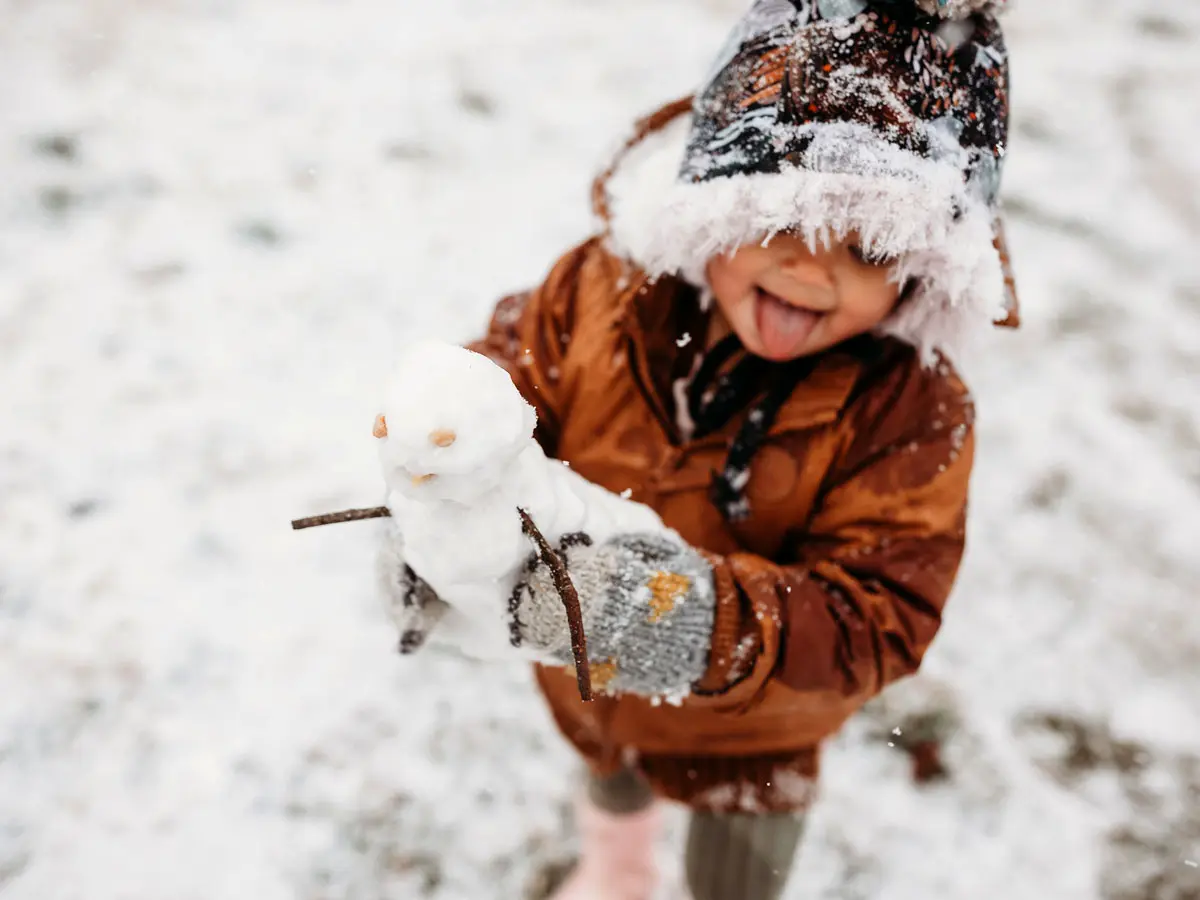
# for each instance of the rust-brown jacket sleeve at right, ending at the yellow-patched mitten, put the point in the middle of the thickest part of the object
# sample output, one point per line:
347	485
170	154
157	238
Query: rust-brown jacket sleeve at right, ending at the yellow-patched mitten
859	596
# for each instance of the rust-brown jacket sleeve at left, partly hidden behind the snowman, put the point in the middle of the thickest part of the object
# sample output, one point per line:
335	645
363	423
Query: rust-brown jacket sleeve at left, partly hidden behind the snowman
530	335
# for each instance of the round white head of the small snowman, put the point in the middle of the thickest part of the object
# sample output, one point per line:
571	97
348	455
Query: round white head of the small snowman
453	424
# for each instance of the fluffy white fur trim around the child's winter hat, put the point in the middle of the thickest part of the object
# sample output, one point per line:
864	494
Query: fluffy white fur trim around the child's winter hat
911	208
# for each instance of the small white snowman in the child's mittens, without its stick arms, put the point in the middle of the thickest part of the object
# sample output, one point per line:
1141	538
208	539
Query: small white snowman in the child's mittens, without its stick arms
459	461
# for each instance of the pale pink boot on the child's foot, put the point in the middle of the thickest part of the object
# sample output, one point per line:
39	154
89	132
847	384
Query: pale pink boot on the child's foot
617	859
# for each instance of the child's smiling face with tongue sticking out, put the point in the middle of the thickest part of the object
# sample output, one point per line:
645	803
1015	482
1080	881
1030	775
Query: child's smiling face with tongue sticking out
785	302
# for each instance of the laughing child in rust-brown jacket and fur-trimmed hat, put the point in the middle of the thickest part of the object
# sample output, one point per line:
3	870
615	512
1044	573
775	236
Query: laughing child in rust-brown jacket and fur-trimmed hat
754	349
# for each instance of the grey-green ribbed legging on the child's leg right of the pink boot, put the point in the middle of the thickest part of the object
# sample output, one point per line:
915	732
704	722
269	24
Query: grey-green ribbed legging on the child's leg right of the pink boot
739	857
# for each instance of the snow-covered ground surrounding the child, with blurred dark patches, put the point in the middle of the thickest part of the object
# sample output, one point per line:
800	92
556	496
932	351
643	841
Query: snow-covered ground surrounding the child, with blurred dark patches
218	219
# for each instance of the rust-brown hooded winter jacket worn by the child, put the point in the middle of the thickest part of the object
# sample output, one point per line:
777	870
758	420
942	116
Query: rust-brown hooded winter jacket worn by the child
830	591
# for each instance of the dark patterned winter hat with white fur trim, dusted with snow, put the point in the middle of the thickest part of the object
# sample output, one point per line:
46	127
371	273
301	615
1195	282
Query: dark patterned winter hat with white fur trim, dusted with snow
889	118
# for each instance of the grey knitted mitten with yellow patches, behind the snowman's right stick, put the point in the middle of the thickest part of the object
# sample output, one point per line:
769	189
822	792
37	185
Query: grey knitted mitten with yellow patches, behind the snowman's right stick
649	610
